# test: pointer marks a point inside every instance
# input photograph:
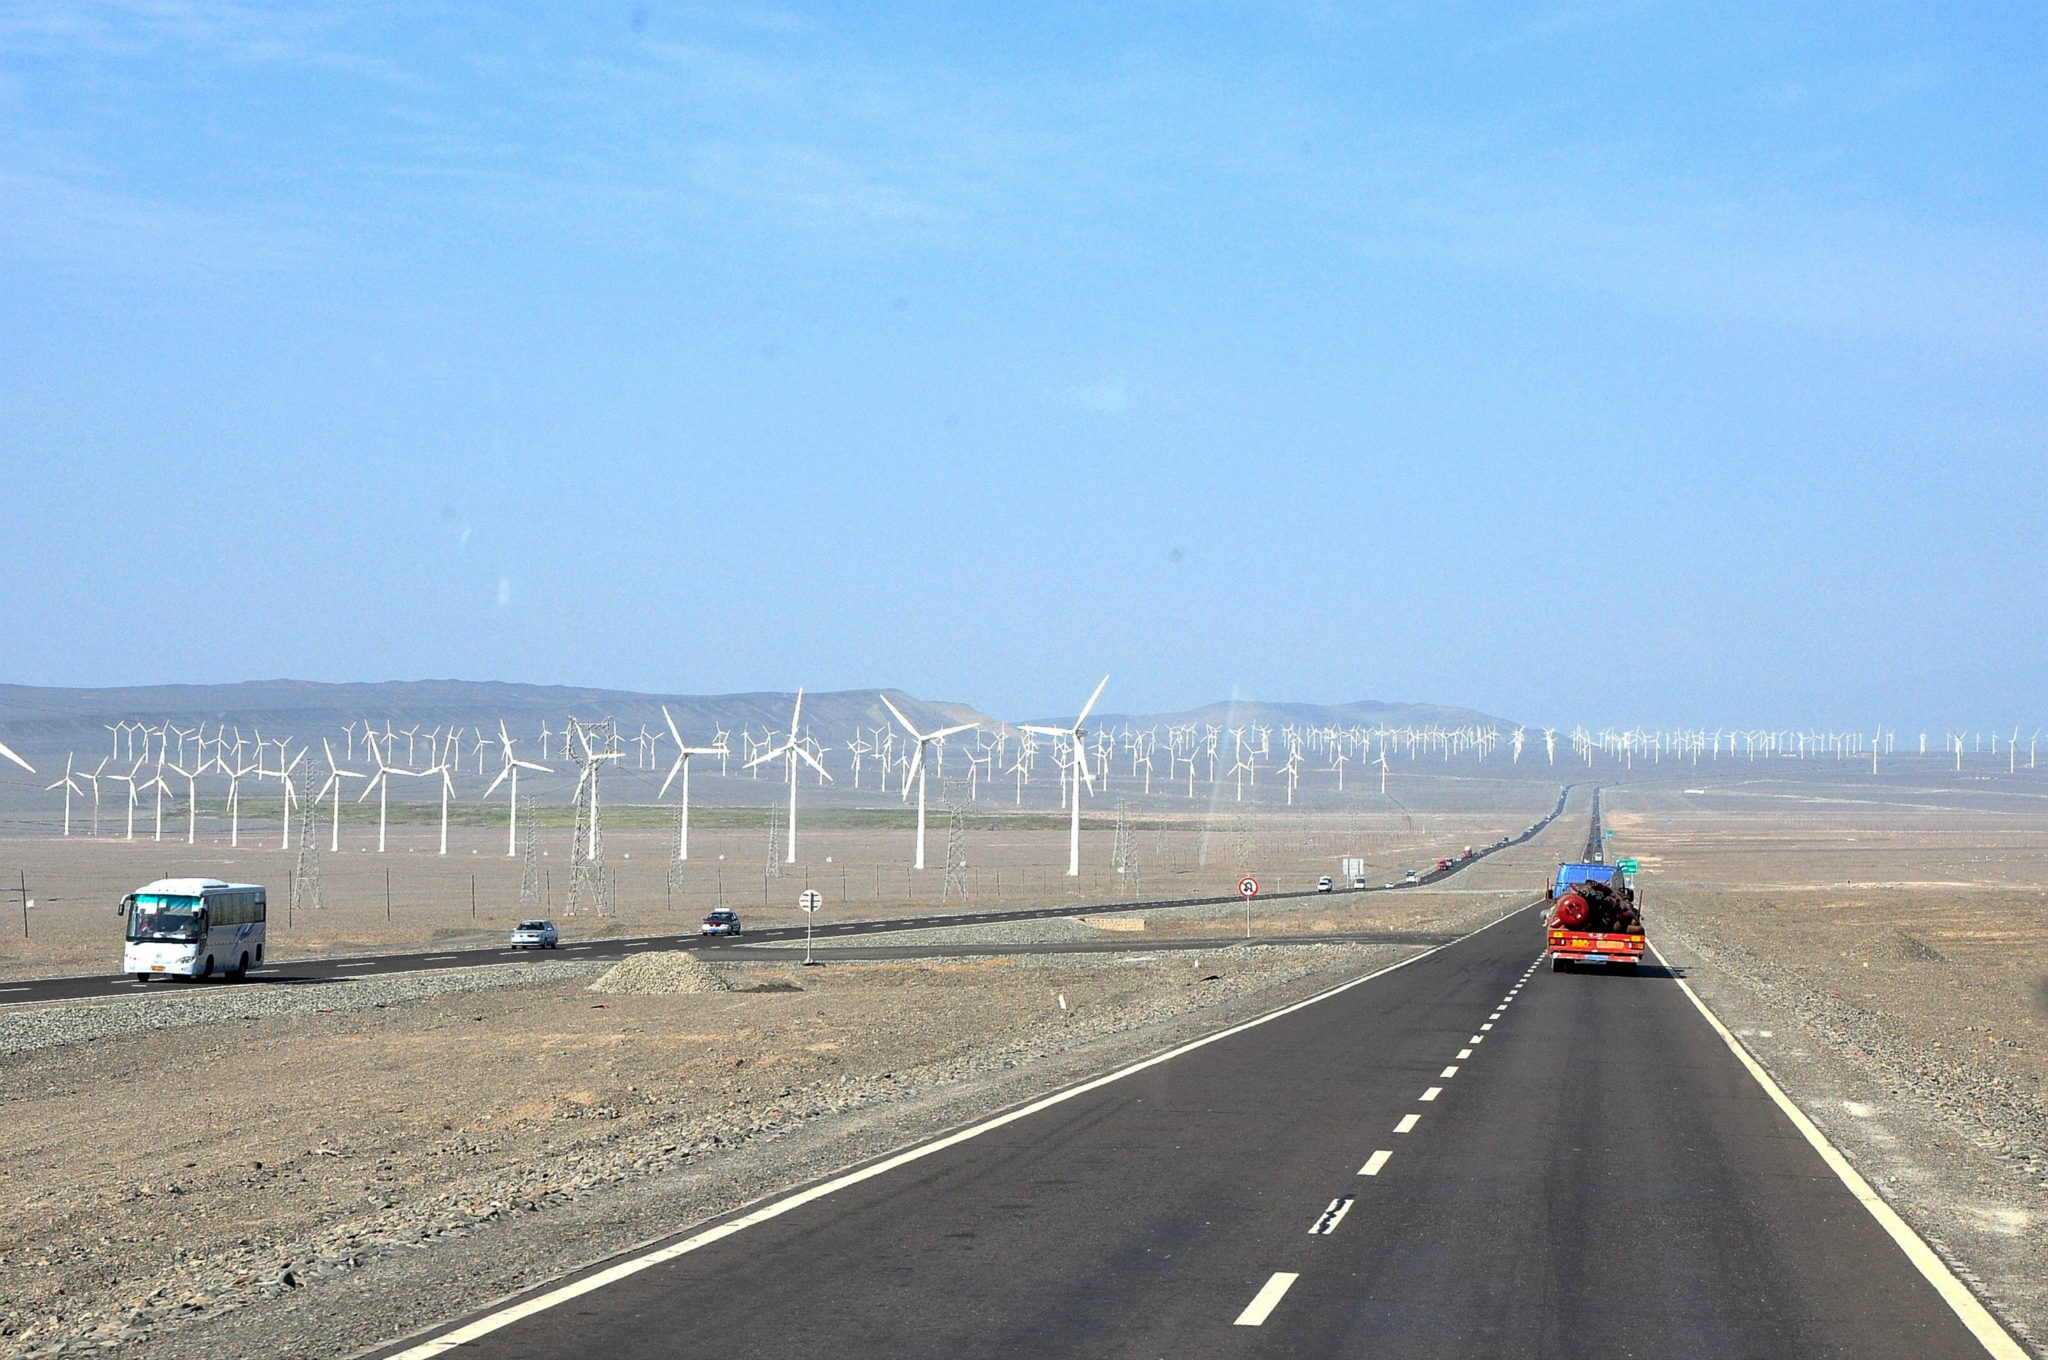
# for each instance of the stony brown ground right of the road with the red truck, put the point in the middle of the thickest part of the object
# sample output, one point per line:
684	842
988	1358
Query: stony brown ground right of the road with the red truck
1914	1031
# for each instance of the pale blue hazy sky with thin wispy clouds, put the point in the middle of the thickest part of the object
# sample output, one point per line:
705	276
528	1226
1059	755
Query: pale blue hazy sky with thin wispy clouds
1596	364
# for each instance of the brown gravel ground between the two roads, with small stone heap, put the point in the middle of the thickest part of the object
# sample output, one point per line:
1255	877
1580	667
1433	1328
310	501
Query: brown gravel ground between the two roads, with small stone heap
337	1166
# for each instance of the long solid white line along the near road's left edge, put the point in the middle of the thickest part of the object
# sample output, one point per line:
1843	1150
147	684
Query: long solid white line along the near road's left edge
775	1209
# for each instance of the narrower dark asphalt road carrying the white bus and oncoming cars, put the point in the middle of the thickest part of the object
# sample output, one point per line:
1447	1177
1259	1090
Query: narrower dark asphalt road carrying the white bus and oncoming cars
302	972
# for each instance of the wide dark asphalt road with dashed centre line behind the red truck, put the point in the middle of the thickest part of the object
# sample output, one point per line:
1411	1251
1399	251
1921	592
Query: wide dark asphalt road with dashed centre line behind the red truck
1465	1156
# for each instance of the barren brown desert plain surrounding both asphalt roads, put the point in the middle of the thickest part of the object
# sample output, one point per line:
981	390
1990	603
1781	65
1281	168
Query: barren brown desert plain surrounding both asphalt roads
304	1173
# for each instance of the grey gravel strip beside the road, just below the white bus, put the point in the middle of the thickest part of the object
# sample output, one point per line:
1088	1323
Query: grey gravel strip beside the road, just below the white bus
73	1023
